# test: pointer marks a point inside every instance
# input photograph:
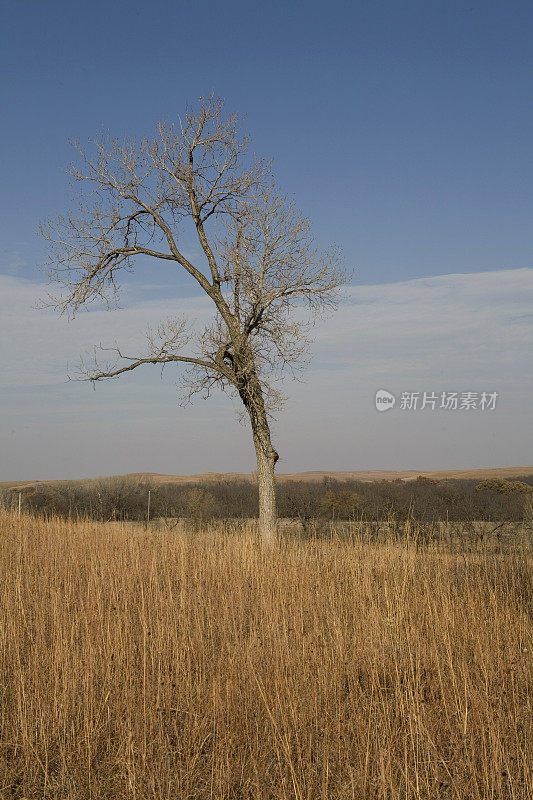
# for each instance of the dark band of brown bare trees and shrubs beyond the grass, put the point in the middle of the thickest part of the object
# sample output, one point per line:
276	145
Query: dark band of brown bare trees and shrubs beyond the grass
422	500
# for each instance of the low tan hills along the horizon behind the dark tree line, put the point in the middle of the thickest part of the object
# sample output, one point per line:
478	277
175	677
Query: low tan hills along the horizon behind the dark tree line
313	475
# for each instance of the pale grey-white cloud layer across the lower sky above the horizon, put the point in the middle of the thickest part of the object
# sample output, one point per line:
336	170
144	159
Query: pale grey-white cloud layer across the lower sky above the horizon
451	332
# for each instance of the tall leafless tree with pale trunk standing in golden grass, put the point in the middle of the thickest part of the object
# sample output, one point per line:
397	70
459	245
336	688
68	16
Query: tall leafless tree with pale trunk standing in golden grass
259	263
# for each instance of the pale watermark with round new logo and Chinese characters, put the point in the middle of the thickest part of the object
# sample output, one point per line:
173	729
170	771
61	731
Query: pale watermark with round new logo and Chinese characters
432	401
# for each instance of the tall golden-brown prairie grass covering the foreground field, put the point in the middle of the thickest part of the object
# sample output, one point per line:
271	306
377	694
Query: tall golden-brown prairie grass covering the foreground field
141	664
